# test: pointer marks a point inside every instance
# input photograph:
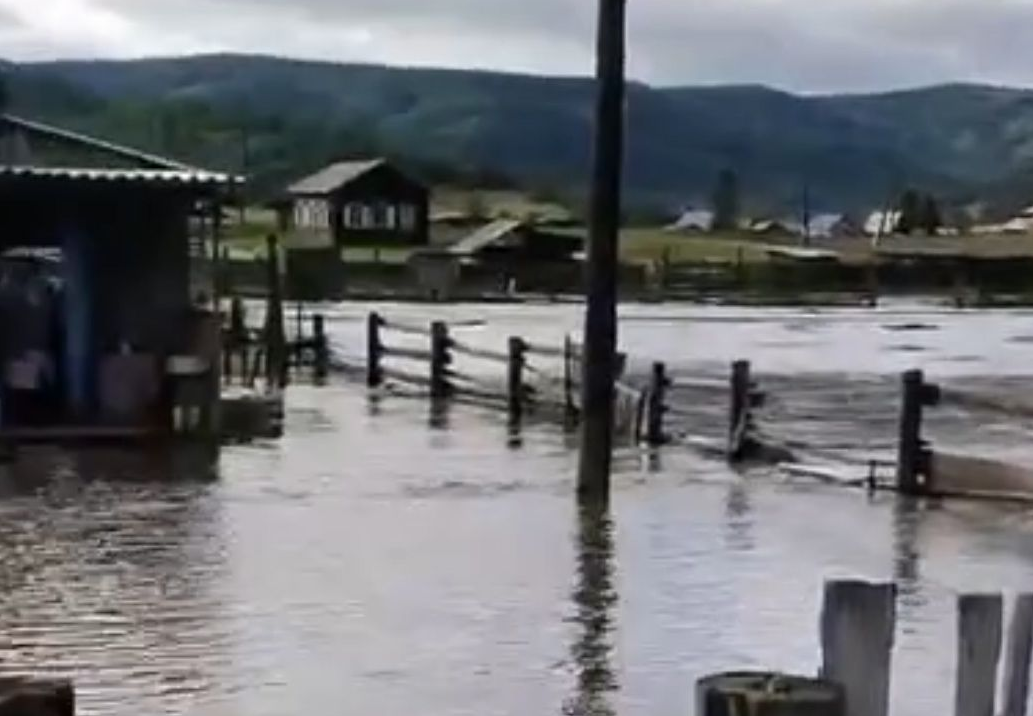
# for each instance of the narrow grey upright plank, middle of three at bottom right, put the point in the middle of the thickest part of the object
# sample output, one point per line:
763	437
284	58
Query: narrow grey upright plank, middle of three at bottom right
980	618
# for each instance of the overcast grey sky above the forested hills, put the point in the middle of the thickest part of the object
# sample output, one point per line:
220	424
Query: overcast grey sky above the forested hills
797	45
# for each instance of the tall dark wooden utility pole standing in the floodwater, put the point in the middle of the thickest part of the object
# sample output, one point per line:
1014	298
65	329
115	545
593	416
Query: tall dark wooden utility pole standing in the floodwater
601	318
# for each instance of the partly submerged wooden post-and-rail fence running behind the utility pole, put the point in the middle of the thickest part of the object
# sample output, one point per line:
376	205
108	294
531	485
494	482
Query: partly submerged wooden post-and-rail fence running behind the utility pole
865	433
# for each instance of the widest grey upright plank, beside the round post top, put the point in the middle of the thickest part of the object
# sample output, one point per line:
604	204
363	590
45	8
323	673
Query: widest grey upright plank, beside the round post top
858	625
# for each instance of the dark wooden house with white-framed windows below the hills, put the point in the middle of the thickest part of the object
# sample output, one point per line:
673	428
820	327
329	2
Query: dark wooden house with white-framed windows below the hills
361	204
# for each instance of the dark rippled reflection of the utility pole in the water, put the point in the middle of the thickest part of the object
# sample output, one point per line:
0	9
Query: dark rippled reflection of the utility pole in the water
594	599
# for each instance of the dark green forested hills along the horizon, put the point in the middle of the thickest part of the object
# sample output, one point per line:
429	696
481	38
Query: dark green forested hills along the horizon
961	142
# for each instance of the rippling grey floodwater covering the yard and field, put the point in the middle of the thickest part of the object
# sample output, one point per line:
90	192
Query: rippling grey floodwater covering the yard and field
388	558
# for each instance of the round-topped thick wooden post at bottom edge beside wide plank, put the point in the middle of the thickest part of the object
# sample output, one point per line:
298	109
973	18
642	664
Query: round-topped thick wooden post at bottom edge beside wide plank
758	694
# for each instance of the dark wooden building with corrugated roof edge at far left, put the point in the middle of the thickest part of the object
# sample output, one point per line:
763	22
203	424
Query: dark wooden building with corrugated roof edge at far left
105	327
